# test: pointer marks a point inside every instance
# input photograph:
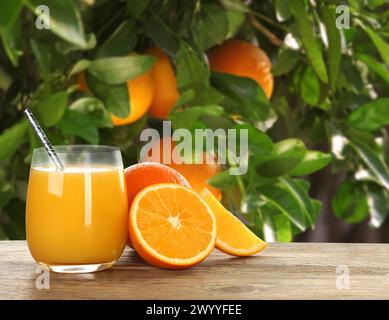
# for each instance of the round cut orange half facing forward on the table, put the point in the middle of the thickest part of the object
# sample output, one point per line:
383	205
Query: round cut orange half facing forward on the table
171	226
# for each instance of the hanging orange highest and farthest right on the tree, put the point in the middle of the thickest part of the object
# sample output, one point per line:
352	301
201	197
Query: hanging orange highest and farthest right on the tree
245	60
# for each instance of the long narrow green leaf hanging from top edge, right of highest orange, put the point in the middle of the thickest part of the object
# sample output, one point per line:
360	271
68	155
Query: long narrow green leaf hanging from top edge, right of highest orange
308	39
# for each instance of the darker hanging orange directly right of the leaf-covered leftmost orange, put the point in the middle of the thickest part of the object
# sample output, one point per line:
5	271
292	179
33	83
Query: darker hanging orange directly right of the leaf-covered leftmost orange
165	84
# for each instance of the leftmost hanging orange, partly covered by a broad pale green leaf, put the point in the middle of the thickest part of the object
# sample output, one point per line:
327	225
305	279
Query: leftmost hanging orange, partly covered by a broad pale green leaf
140	92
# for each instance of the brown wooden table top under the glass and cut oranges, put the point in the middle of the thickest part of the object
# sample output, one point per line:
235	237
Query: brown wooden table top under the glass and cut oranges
282	271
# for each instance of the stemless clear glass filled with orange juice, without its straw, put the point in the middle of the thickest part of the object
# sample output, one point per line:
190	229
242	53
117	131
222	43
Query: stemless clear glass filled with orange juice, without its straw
76	219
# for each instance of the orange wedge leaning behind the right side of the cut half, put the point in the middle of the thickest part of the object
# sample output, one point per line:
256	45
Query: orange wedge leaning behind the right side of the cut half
233	237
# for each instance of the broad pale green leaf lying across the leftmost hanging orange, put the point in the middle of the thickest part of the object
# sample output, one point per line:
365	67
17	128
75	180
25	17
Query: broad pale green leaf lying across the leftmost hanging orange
118	70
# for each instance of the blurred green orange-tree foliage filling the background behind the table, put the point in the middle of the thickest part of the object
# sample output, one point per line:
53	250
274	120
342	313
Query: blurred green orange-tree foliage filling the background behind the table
331	95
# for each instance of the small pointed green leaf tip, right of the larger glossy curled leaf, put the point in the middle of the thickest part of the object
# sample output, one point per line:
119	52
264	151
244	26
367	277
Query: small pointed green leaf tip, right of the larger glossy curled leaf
313	161
